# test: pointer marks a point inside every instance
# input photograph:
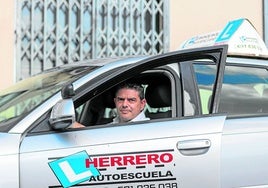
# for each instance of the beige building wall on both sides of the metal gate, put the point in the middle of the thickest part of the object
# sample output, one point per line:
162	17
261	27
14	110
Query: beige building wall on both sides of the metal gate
187	19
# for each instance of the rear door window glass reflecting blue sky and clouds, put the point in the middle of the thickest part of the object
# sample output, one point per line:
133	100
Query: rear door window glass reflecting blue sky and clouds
244	90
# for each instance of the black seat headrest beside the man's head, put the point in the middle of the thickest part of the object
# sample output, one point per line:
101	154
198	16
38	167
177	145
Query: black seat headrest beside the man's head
158	95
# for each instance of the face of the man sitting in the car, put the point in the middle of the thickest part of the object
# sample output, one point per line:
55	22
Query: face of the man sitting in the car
128	104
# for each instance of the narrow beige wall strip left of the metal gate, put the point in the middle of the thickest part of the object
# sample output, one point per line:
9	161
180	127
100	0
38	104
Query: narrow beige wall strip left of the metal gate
6	43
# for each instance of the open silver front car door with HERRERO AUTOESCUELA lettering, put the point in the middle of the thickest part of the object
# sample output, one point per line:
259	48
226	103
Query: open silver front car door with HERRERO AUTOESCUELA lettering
181	151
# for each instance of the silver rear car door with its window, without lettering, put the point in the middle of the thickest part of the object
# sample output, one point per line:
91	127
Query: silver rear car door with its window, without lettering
245	136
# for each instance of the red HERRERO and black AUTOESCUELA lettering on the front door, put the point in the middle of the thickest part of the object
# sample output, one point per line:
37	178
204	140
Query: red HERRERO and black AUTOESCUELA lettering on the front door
134	170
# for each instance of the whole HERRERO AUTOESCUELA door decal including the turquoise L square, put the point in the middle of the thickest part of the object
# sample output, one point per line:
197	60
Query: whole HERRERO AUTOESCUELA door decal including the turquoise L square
155	169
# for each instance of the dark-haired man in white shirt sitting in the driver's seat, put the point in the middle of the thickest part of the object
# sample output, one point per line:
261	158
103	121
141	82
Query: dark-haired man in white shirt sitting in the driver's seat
130	102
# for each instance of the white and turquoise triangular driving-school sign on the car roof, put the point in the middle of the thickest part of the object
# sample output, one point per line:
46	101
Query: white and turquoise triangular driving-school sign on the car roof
240	35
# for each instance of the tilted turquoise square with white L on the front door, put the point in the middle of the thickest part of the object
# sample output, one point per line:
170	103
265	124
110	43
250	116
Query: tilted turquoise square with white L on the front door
69	170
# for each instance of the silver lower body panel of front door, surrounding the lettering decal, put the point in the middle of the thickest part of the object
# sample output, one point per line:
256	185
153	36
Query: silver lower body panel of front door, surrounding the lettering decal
178	139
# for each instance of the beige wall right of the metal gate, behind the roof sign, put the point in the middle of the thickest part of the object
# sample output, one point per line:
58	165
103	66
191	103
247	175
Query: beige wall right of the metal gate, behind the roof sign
191	17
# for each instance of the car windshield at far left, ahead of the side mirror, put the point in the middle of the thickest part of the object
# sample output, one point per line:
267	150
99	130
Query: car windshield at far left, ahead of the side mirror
21	98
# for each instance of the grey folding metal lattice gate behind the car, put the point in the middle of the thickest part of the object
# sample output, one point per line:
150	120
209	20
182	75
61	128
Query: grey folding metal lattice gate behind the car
54	32
